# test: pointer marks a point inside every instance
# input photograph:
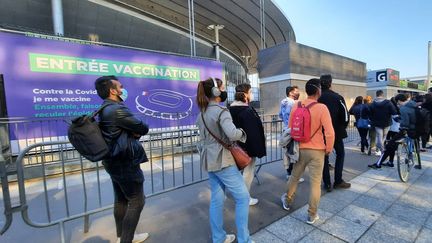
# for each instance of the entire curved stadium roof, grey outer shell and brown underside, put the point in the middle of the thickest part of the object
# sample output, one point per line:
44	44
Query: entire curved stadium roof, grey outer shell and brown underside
160	25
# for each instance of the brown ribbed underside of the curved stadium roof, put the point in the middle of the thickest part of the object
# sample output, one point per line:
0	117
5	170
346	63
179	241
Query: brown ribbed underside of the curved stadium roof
241	35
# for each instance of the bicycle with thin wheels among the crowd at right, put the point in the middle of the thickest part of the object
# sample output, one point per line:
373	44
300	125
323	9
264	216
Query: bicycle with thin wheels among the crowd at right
407	155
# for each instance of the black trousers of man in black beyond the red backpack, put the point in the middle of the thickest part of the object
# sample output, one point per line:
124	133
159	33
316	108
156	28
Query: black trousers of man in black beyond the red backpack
340	157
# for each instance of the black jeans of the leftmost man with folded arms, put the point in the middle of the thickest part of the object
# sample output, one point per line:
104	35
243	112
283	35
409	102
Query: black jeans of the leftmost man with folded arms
129	201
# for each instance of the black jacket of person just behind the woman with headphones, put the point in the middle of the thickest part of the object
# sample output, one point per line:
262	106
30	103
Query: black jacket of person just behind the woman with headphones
247	118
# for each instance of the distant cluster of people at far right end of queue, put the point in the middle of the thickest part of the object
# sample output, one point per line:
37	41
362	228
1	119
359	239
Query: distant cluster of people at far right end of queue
390	120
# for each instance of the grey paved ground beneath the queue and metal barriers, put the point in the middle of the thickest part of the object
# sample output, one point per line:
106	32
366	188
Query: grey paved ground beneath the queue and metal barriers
182	215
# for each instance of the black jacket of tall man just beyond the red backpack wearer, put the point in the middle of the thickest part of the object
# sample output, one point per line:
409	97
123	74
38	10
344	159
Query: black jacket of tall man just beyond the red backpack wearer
338	112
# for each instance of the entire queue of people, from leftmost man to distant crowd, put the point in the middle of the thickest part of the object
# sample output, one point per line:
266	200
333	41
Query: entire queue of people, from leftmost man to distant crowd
313	128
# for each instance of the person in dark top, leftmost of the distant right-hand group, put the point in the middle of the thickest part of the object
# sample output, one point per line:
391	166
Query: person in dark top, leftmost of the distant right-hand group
360	110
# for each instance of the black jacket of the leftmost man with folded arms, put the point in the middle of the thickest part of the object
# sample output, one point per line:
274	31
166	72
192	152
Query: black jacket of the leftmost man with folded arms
121	130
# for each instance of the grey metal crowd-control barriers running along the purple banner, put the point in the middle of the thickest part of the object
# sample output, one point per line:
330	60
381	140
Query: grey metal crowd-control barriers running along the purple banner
59	176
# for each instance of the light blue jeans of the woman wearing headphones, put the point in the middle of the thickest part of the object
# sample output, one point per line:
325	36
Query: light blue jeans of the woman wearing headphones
231	179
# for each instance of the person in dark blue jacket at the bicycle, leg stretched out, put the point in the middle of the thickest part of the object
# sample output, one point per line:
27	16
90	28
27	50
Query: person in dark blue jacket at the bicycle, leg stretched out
408	122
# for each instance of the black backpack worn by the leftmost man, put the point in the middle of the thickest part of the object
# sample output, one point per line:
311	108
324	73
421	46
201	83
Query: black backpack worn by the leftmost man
85	135
